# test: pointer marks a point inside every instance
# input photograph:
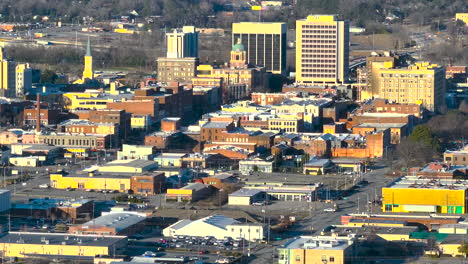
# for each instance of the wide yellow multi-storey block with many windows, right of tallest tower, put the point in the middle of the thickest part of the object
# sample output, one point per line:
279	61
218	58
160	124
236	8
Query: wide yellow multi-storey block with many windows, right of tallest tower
422	83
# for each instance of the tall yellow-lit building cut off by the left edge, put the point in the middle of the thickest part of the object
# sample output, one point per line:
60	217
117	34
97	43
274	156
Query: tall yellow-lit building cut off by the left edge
7	76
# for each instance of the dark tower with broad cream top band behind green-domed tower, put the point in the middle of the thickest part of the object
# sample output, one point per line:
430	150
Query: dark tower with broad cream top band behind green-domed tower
265	44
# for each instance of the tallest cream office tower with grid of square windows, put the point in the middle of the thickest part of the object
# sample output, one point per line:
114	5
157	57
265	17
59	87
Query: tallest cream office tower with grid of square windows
322	50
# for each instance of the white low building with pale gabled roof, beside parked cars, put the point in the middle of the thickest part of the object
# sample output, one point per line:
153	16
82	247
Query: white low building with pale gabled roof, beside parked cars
218	226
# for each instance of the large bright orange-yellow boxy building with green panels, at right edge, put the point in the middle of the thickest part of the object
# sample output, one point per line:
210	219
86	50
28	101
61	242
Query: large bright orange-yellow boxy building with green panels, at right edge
410	194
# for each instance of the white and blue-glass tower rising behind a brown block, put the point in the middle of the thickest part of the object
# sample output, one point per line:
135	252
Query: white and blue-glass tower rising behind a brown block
182	43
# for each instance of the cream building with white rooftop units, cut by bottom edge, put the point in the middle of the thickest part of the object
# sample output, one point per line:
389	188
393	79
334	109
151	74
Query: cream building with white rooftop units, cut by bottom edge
320	249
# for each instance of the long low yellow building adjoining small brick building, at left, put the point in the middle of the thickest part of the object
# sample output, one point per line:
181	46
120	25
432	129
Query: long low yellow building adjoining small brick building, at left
91	181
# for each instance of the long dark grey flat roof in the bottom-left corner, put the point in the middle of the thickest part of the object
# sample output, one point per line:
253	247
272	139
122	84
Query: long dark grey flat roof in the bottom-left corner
59	239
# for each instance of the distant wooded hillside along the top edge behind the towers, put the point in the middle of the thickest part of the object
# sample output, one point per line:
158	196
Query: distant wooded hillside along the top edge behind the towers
201	13
